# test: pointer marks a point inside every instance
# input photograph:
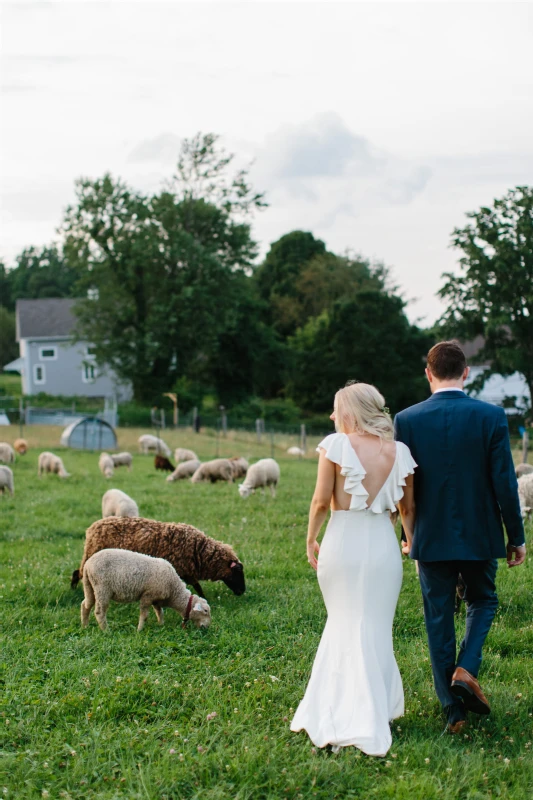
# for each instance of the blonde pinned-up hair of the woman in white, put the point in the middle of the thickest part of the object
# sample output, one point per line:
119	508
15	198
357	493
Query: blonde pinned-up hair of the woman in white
360	407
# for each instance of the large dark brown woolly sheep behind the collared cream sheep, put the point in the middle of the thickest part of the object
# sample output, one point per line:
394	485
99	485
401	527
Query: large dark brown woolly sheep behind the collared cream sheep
194	556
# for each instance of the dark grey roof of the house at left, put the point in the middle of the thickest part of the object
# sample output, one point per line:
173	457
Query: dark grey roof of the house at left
48	317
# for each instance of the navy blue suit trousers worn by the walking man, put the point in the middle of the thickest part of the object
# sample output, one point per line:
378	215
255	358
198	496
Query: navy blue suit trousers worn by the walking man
438	580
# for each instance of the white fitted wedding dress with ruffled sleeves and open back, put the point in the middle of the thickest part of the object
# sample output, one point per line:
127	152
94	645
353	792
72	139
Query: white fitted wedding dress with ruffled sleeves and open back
355	687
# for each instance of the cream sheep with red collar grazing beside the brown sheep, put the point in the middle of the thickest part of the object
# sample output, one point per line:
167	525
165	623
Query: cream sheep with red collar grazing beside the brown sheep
124	577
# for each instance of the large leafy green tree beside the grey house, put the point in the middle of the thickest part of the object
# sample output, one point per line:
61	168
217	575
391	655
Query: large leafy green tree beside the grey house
162	267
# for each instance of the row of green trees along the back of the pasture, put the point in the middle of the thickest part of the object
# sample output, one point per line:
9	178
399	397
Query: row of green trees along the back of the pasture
172	298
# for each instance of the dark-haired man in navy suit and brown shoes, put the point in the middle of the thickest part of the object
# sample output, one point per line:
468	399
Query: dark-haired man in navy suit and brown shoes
464	488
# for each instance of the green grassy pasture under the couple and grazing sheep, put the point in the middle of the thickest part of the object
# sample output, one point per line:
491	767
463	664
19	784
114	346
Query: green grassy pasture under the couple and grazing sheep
86	714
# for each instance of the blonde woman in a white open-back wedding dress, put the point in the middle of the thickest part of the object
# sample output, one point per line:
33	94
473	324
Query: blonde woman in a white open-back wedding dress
355	687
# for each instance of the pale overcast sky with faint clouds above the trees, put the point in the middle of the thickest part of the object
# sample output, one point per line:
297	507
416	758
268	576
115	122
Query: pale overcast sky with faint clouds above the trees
374	125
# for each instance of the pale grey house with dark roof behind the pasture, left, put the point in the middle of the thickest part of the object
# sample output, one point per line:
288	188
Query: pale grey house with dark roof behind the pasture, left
50	361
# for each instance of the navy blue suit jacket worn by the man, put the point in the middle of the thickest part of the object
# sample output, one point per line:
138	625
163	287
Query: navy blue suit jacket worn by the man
465	483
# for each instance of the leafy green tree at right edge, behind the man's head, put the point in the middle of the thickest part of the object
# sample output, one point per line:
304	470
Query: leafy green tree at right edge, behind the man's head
492	295
